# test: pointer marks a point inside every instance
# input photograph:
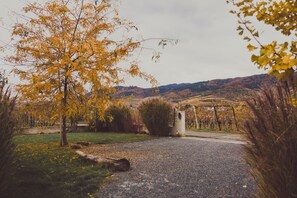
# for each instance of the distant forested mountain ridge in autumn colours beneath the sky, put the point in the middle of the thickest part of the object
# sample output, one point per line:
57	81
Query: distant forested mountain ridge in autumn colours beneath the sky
230	89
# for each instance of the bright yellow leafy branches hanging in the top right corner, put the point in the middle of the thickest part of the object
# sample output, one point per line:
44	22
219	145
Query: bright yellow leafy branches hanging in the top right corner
280	58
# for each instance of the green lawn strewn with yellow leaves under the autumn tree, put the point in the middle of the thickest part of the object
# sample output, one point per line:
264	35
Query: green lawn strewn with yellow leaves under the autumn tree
44	169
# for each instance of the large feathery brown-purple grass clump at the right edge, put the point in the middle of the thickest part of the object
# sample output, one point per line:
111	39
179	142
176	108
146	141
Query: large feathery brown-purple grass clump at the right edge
271	132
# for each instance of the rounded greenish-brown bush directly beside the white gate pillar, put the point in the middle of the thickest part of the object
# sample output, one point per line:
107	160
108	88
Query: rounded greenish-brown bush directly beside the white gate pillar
156	114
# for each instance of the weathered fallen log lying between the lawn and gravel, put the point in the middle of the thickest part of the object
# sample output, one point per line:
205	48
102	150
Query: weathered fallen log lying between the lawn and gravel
116	164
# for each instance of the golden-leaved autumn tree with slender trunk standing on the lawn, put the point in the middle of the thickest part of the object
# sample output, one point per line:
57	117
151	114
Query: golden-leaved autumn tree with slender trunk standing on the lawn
71	48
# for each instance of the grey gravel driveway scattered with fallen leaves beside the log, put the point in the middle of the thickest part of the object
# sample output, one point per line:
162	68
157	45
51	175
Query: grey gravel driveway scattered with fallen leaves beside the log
178	167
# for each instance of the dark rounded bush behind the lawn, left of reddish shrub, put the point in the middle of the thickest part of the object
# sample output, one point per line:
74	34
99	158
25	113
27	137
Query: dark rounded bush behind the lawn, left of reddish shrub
119	119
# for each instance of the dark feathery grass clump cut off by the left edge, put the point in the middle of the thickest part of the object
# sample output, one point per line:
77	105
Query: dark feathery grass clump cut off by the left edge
6	134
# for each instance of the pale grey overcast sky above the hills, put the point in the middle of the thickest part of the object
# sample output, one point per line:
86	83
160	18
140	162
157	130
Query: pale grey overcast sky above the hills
209	46
